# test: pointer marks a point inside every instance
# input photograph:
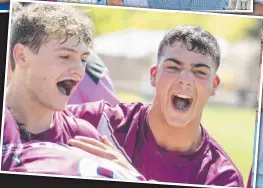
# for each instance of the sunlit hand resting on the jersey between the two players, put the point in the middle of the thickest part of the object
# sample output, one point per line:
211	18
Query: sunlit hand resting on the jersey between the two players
104	149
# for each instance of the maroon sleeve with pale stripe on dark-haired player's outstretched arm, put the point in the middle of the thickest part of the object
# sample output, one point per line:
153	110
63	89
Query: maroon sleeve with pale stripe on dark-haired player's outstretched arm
118	123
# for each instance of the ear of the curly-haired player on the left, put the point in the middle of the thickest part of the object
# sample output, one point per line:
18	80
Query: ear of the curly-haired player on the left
19	56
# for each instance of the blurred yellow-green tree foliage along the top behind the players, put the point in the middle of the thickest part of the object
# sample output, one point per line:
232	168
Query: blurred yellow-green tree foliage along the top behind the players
114	19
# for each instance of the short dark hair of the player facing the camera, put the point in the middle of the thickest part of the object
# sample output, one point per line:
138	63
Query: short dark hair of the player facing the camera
195	39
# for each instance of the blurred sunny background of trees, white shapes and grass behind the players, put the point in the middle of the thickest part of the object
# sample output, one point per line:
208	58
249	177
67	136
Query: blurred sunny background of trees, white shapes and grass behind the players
127	40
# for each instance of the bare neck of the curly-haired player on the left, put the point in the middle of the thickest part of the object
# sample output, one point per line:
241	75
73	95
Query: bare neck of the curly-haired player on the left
27	110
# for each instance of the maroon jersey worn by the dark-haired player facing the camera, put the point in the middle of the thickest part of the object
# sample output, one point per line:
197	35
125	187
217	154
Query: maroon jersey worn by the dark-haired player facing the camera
126	125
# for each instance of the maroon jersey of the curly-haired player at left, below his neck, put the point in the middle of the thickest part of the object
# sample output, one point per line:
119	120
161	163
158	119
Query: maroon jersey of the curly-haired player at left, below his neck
64	127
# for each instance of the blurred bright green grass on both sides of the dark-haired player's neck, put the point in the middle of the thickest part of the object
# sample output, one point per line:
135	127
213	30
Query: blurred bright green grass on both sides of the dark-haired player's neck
232	128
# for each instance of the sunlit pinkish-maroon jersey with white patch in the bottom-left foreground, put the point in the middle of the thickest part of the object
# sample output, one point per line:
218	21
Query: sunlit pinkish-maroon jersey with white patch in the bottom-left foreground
55	158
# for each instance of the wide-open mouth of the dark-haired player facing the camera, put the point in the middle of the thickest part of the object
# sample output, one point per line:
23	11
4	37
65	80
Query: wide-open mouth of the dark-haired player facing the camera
181	102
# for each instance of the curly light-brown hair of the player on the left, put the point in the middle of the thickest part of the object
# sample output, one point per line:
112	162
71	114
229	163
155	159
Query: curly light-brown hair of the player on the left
35	24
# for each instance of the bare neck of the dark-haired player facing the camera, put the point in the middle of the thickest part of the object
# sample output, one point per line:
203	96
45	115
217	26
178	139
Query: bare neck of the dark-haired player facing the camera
180	139
